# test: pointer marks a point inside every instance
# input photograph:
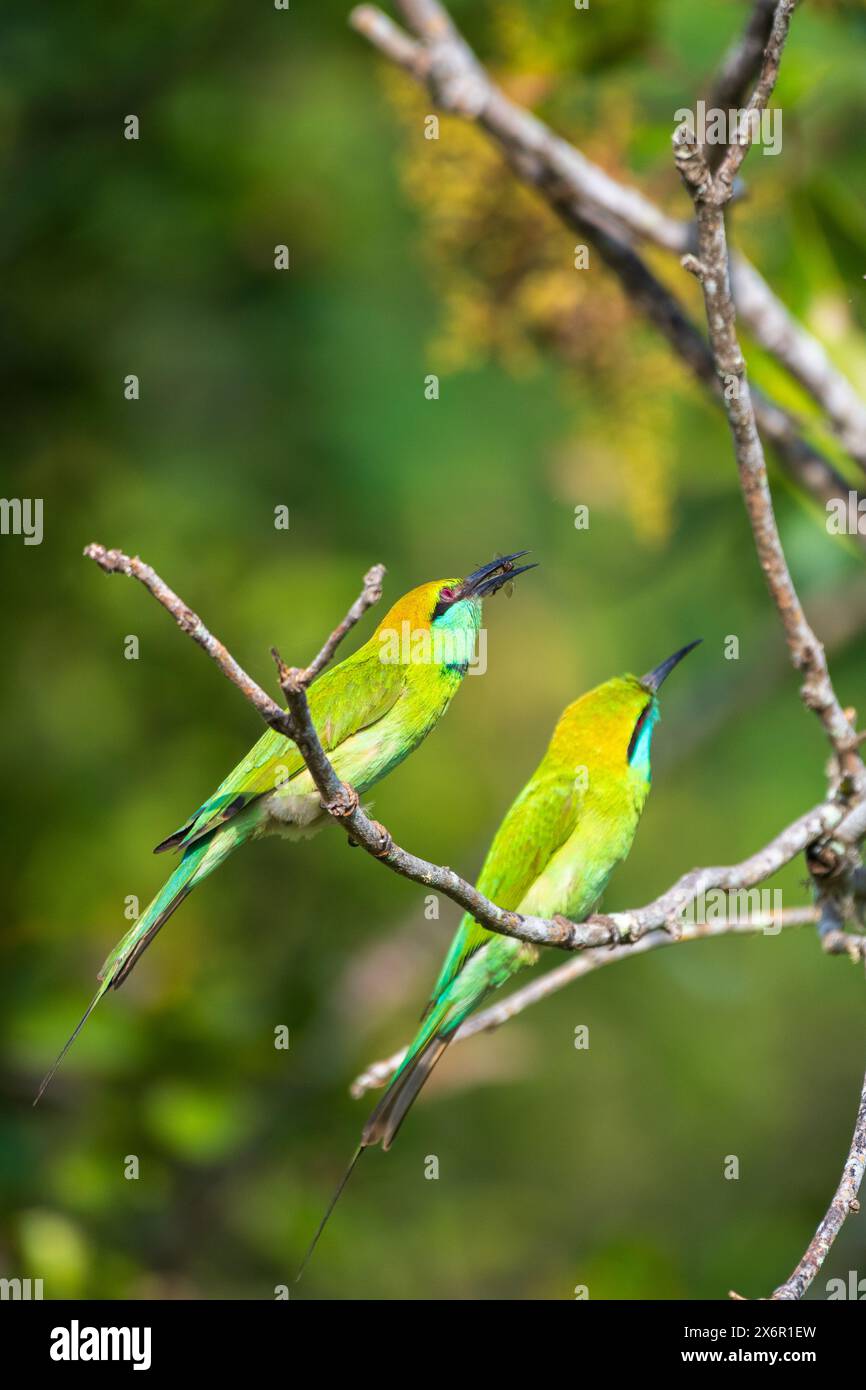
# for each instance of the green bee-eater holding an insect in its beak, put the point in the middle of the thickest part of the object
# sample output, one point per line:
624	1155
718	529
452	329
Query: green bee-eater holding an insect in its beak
370	714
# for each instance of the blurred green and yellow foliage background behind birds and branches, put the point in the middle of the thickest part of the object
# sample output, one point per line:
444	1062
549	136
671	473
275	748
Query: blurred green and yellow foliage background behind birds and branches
305	389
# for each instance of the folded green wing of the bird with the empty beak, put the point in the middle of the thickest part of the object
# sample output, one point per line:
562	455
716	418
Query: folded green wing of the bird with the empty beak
537	825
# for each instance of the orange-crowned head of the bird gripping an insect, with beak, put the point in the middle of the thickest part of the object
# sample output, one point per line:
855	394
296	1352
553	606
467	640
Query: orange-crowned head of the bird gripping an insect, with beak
448	611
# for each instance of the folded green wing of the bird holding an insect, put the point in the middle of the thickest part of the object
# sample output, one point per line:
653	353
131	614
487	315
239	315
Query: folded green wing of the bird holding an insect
343	703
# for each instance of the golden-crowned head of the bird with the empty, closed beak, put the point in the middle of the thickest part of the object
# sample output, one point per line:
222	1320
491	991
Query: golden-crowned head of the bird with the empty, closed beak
615	722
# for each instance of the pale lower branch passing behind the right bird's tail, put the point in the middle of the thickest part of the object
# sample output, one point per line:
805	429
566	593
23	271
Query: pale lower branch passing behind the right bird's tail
379	1074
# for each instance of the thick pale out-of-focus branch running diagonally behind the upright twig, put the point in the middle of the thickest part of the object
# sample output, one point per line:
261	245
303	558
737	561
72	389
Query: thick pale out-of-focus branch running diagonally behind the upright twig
590	201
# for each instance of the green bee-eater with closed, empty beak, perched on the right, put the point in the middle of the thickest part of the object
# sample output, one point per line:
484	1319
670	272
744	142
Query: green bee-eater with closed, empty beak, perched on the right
553	856
